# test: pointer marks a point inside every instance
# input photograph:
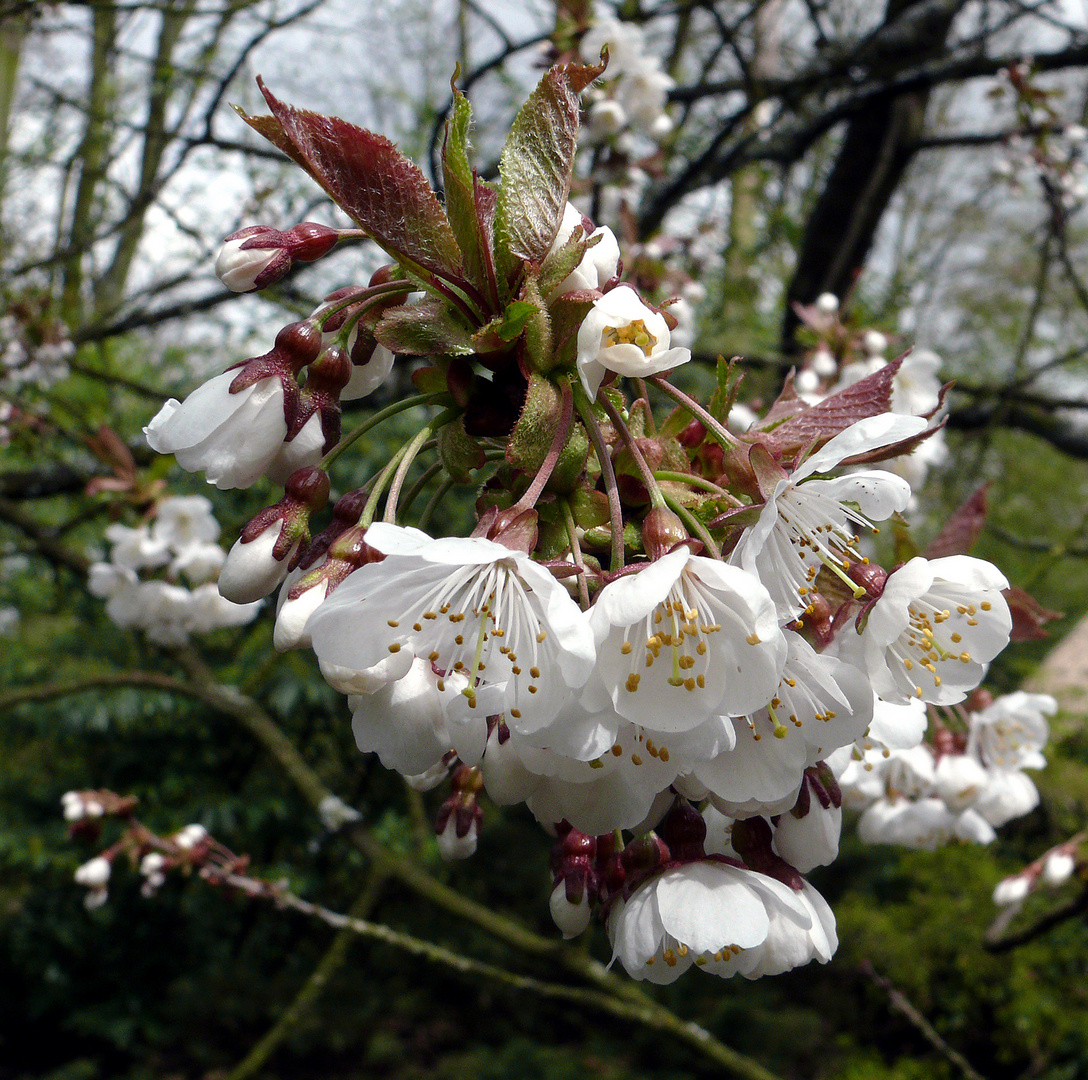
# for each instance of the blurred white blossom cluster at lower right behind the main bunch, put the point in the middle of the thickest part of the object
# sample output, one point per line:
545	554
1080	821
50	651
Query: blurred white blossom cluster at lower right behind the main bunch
967	779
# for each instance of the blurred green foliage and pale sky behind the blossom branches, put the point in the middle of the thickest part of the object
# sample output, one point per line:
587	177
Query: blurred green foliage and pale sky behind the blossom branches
186	985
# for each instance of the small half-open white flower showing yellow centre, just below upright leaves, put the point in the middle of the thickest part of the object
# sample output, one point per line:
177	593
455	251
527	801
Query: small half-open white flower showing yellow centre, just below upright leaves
622	334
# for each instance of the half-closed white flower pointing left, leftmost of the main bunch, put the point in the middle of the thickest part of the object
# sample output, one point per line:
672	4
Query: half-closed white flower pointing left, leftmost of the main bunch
230	438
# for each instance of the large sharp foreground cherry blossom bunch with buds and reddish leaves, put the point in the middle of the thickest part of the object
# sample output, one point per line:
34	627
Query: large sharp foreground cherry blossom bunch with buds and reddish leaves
659	631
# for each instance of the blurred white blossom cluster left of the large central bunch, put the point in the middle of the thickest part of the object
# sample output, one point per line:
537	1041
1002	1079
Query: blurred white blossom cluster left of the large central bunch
179	545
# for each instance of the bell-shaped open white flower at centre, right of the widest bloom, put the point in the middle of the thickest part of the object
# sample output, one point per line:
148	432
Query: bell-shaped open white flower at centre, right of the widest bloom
685	639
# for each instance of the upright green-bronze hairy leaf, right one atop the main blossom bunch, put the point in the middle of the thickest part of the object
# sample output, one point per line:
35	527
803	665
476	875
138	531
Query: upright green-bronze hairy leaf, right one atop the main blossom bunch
536	167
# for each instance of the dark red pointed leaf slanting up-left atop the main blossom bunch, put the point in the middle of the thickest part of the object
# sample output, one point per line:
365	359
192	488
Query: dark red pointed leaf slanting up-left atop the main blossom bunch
368	178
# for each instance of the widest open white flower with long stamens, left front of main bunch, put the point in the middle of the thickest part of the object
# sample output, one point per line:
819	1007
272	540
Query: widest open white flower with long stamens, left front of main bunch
468	606
